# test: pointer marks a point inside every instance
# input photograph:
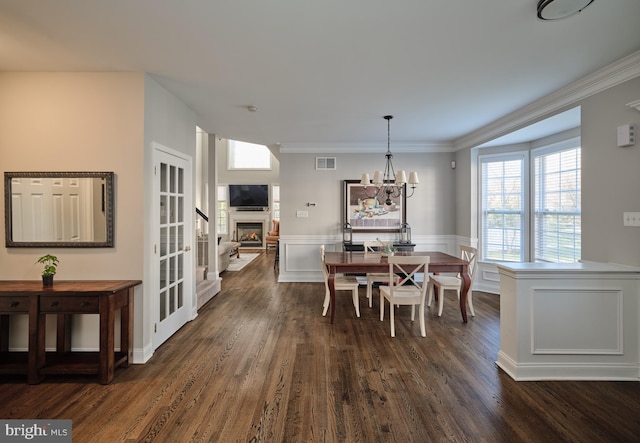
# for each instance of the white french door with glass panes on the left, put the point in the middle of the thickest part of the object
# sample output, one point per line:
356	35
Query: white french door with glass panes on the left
173	261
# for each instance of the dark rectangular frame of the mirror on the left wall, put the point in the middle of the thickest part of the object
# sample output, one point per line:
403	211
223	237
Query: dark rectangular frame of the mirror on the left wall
107	206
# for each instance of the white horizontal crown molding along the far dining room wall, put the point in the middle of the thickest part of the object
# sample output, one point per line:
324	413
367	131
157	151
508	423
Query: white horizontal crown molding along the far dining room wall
364	148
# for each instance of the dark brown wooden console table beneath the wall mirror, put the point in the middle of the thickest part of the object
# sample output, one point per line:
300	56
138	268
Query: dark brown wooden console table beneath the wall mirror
64	299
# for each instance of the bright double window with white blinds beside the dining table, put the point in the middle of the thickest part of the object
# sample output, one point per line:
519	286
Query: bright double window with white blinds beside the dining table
531	213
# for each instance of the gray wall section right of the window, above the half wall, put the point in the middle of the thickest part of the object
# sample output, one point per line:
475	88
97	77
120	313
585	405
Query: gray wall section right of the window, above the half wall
610	177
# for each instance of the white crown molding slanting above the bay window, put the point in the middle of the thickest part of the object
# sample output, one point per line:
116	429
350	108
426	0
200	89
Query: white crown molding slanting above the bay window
619	72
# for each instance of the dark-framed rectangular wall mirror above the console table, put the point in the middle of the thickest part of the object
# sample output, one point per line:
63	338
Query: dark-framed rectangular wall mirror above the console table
59	209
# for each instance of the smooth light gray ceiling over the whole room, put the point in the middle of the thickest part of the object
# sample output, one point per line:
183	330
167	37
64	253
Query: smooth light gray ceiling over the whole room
326	72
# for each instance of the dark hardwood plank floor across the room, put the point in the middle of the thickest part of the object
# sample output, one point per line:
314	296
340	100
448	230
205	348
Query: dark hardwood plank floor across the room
261	364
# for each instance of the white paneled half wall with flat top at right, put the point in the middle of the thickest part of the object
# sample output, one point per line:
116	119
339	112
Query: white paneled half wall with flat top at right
569	321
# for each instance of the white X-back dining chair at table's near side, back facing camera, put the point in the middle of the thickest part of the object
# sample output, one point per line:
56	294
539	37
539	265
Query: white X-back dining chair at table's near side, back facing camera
408	289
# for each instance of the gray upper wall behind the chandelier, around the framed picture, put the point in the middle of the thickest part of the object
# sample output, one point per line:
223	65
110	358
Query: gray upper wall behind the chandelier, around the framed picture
431	210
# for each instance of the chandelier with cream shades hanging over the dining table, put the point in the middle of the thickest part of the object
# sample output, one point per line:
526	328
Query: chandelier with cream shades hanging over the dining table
388	184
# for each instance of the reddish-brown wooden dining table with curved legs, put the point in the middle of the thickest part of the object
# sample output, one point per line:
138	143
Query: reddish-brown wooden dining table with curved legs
361	263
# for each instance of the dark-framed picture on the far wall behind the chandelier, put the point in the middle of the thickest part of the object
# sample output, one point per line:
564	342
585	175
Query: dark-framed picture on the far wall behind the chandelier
367	212
